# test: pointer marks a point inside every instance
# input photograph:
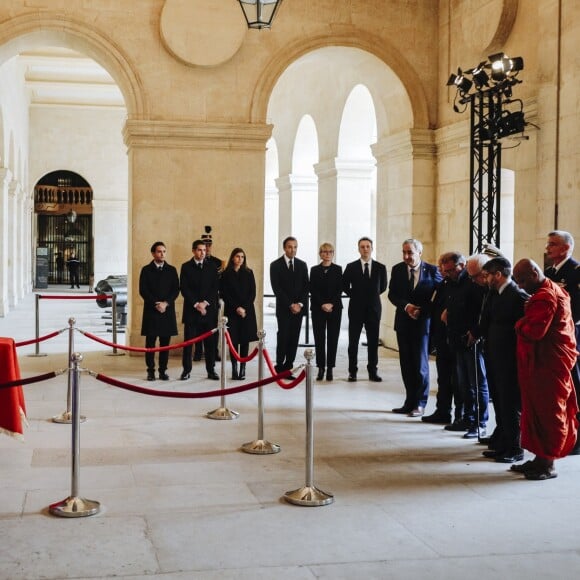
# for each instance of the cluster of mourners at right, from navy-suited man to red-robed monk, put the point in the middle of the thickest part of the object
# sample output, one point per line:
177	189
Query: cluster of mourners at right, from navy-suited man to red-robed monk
500	335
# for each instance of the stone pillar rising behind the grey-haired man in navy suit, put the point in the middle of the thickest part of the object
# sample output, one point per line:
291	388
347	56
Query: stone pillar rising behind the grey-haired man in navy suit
406	166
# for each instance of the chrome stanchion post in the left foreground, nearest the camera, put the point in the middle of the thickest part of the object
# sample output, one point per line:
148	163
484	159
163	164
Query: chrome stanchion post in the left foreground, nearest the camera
74	506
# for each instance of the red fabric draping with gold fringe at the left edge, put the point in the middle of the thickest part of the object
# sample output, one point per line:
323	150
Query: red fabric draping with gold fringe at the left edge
12	405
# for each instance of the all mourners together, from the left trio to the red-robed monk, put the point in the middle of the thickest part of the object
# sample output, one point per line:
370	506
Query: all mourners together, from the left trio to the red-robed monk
509	337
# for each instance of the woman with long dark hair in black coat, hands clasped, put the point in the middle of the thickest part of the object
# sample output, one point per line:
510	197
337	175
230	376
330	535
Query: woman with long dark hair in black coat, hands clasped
238	291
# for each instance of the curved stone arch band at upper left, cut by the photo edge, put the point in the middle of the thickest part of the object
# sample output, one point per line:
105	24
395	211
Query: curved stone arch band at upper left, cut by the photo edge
49	28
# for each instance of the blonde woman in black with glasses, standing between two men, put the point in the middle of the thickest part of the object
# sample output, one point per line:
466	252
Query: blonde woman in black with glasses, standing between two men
326	306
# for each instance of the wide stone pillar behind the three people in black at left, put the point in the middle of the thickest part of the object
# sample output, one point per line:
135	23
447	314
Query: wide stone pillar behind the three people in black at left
184	175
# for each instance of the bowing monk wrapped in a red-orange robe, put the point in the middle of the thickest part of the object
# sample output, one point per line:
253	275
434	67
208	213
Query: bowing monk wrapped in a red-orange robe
546	352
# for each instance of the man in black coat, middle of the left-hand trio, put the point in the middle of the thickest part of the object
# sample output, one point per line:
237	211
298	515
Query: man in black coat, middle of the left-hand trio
199	286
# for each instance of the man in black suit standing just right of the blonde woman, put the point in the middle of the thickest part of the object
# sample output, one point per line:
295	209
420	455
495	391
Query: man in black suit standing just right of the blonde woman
364	281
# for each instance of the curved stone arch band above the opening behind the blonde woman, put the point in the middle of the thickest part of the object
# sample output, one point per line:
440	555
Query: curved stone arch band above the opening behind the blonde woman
376	46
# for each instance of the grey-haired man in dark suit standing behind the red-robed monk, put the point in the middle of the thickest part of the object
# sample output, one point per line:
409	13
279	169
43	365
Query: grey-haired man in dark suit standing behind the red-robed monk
565	271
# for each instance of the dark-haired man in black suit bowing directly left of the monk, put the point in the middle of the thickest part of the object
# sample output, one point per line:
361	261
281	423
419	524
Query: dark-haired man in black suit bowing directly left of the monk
504	307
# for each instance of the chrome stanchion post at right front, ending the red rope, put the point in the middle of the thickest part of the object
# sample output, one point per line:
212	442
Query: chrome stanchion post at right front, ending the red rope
309	495
